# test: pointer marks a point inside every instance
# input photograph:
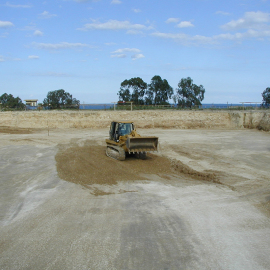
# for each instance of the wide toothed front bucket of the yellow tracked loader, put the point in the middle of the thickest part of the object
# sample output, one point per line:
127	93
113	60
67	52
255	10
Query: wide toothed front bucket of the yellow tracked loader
142	144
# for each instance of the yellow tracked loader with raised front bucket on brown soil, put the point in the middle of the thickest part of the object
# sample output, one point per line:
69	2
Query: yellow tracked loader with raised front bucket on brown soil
124	139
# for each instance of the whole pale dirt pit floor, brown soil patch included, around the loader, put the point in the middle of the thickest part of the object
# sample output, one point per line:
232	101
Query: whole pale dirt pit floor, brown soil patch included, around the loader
201	202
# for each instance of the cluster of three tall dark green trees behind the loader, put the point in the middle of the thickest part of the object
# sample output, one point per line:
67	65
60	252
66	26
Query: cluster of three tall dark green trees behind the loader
159	92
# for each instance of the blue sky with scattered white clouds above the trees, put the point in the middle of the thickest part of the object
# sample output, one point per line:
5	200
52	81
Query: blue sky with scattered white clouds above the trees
89	47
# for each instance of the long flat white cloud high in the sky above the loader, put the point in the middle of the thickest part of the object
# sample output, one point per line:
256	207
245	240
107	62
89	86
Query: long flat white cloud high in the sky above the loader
113	25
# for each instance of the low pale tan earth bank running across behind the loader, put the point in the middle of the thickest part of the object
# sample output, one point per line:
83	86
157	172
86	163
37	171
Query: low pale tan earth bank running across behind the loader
156	118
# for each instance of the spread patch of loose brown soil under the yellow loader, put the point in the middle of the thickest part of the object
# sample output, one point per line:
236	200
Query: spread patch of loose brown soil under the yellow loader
76	163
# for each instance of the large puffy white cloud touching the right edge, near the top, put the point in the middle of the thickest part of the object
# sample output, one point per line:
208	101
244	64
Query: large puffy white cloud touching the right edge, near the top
254	20
